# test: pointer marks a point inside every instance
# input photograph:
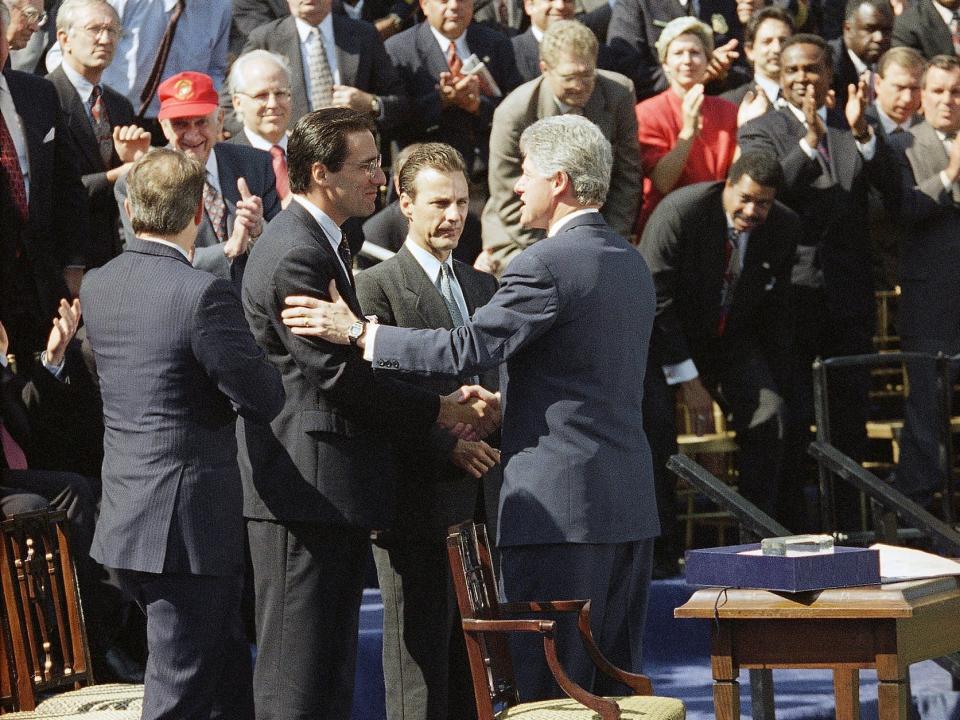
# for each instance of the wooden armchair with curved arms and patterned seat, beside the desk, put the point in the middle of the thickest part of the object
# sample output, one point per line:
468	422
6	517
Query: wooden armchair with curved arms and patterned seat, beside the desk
486	625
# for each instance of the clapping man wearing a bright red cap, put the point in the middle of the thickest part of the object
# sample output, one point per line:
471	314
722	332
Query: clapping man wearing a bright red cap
240	192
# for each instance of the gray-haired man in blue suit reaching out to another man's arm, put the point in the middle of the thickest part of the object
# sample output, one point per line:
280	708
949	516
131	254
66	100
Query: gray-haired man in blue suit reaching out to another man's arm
570	328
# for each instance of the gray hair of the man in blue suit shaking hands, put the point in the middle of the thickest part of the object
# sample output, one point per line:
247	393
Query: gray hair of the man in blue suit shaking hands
573	145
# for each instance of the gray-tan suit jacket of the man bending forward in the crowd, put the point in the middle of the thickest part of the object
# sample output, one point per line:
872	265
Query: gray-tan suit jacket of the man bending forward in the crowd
611	108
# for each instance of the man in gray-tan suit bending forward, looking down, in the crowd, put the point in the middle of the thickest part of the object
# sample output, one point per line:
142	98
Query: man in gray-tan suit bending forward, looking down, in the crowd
570	83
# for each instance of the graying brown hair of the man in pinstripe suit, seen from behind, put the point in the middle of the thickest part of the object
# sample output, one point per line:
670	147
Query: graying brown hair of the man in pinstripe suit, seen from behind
164	189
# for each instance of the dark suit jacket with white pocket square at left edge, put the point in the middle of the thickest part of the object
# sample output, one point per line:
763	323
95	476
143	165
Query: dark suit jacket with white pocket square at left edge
53	235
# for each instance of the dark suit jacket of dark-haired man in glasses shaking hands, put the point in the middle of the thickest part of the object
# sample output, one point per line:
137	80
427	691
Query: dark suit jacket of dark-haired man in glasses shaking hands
326	458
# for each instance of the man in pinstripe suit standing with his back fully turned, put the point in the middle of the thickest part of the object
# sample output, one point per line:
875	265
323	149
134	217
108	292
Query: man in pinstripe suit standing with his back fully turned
176	364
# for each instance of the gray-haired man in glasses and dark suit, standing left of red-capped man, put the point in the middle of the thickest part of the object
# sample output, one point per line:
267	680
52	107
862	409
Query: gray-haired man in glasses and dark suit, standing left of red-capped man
88	31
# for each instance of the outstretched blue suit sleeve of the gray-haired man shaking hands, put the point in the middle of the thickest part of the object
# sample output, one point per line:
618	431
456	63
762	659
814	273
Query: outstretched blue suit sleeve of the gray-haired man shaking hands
523	309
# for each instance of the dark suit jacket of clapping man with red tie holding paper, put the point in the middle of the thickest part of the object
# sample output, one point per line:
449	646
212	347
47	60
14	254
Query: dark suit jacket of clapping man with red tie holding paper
417	56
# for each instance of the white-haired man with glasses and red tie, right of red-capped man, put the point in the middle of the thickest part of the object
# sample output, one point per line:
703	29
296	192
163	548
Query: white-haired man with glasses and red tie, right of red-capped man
260	88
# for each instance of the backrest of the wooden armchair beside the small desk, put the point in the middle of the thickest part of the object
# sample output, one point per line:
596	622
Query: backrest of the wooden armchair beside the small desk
471	567
